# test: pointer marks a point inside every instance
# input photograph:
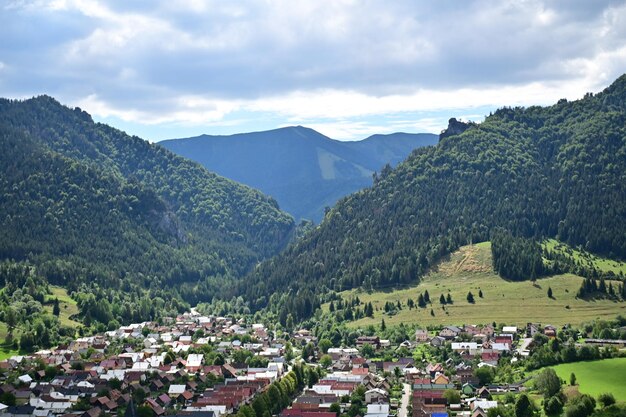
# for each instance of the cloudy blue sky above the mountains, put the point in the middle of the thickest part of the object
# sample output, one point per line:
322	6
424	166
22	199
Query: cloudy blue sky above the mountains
164	69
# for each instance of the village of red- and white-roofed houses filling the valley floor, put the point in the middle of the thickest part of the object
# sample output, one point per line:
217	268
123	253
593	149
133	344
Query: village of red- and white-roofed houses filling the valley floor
205	366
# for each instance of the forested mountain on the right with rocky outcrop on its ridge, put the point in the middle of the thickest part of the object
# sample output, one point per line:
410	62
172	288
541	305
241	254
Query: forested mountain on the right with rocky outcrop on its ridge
536	172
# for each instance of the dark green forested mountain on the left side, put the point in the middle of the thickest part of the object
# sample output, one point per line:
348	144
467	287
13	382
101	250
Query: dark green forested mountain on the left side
101	212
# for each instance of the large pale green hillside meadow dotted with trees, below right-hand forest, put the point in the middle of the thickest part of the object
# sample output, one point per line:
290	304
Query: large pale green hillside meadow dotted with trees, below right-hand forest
469	269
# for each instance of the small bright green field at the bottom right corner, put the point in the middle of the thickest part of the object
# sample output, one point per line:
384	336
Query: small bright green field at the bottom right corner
596	377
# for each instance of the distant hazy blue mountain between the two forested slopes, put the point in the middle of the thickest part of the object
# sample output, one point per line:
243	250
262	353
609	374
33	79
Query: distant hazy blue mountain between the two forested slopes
302	169
